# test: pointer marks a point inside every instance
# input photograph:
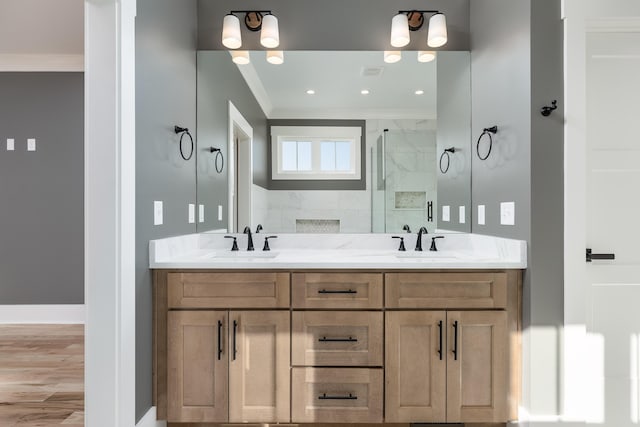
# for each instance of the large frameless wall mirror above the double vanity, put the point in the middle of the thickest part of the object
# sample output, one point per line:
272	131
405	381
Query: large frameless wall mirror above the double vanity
405	142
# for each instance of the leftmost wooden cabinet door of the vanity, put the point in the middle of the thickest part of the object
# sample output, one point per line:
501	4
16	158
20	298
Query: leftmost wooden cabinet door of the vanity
197	366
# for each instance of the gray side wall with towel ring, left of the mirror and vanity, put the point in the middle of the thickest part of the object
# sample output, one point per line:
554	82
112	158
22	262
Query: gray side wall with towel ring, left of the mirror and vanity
165	96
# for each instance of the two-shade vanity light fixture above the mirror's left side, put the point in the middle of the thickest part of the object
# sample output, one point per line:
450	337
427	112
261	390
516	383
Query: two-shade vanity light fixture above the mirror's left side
255	20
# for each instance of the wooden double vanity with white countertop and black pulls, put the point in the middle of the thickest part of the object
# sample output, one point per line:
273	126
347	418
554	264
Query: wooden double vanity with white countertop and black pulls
337	329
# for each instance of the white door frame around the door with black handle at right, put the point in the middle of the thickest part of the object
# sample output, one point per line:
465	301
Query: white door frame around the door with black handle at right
581	17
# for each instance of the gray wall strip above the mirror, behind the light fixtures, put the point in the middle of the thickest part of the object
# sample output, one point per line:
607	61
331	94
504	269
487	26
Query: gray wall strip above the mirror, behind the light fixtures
333	24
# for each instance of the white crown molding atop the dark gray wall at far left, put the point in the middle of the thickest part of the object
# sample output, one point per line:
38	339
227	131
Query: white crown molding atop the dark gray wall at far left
41	62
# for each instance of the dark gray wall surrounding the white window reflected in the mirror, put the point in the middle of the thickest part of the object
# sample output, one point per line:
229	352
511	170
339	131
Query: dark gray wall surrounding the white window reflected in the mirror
355	184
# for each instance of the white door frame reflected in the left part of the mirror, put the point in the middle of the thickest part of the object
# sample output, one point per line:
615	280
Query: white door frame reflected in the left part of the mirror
239	126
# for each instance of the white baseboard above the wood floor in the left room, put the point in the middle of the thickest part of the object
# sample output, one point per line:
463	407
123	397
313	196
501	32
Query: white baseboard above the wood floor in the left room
42	313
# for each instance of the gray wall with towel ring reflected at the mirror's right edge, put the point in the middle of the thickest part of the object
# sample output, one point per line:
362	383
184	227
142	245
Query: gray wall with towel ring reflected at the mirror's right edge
454	121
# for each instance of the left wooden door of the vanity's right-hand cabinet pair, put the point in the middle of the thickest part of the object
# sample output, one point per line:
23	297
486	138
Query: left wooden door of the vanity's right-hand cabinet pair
415	366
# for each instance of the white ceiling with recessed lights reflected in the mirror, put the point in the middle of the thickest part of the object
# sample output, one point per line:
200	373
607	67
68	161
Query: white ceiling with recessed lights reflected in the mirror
337	78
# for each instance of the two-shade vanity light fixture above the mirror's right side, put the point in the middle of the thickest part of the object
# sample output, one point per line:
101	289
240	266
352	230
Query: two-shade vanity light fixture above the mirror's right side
412	20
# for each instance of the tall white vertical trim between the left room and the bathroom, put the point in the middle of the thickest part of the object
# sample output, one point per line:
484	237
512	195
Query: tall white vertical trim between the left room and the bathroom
109	210
